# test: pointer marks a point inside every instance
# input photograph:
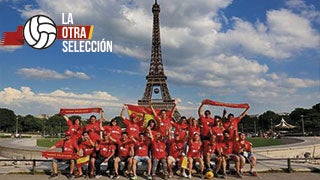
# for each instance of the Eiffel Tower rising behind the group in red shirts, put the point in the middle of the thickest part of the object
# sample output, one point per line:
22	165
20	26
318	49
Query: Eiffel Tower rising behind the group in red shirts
156	78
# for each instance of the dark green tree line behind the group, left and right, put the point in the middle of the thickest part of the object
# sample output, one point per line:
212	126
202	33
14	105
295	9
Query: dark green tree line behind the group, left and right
10	122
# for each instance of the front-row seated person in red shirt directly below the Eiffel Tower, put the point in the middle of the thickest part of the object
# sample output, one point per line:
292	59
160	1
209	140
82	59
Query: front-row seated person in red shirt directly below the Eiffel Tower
158	153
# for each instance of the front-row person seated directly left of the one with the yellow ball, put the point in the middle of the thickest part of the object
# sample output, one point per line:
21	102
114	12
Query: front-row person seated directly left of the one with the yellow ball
195	153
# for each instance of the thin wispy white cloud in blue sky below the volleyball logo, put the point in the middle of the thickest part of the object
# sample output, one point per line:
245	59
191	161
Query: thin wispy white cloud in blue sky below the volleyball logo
42	73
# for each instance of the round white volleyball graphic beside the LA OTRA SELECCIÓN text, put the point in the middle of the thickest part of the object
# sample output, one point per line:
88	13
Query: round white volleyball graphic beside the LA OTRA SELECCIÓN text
40	32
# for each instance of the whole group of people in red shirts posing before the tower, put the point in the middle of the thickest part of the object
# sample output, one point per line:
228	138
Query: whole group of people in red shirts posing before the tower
211	142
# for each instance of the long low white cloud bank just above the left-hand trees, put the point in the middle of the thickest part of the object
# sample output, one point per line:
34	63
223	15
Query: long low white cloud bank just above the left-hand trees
25	100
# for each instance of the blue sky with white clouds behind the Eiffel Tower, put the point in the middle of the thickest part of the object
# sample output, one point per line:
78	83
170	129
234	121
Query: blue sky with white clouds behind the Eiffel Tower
265	53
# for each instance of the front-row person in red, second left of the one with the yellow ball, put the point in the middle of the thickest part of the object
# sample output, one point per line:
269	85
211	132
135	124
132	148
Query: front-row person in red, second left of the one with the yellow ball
177	151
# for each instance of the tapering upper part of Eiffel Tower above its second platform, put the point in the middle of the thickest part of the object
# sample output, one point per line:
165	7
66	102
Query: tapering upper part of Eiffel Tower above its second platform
156	66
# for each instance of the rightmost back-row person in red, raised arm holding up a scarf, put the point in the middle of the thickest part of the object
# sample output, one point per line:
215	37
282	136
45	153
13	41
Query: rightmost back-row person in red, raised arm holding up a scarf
231	123
